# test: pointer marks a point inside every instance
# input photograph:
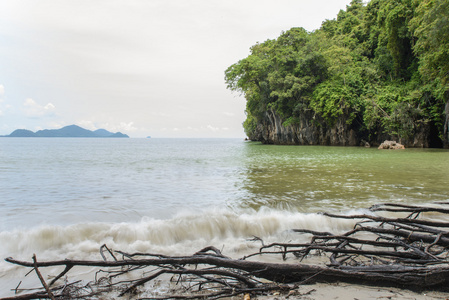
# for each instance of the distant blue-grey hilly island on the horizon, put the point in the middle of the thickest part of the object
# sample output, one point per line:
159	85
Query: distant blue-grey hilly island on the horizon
67	131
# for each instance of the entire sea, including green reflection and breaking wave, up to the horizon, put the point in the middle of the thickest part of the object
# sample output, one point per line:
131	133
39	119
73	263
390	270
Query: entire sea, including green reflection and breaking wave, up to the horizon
66	197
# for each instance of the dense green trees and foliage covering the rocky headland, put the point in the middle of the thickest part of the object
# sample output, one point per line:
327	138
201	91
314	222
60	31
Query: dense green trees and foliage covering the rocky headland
383	66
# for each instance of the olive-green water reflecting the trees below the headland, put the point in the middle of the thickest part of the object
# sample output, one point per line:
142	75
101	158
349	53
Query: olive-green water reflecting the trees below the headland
316	178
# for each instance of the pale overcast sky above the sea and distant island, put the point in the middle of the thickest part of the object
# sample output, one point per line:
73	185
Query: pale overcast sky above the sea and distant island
142	67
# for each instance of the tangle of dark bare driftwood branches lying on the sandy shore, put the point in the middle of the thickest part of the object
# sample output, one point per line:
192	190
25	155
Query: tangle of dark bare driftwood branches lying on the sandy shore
408	251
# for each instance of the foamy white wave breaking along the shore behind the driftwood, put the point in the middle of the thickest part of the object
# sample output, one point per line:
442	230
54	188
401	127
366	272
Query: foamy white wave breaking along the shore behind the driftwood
183	234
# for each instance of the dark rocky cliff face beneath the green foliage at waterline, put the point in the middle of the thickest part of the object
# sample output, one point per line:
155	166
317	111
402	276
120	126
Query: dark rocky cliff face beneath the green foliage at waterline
312	130
